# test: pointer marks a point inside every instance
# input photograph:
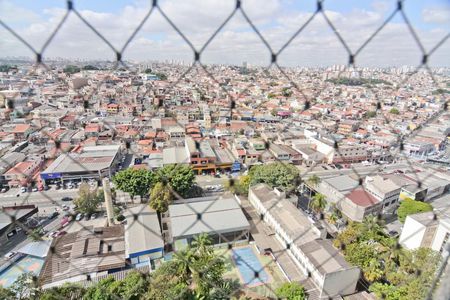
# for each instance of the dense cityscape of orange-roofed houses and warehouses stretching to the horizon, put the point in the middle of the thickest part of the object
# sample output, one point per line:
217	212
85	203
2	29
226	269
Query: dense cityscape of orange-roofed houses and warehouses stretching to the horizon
294	174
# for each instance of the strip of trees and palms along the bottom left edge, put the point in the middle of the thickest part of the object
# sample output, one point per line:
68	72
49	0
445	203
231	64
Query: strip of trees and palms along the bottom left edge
194	273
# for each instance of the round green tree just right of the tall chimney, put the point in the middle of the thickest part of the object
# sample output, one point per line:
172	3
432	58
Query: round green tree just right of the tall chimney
134	181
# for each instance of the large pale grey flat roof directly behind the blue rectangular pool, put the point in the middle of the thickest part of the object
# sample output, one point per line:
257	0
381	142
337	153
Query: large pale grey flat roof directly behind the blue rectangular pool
210	216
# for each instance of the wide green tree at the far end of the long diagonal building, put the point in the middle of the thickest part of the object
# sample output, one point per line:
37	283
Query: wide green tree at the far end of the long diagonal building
275	175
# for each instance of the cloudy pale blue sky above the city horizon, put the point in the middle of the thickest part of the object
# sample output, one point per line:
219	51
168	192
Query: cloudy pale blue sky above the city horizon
277	21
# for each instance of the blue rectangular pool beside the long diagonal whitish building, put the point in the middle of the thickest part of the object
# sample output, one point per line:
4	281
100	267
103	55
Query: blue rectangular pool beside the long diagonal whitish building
248	263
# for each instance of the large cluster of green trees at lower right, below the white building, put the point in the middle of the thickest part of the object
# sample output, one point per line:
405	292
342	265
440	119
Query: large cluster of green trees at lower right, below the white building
390	269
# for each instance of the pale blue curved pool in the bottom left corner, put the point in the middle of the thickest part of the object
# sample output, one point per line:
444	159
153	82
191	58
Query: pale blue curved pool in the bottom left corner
22	265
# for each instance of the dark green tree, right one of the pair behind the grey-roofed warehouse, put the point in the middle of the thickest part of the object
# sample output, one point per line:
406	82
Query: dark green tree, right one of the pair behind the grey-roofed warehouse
181	178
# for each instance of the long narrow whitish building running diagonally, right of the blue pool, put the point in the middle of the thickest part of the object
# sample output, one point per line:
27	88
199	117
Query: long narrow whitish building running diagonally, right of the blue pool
305	243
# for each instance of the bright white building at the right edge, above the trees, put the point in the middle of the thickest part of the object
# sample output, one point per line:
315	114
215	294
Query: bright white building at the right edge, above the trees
426	230
